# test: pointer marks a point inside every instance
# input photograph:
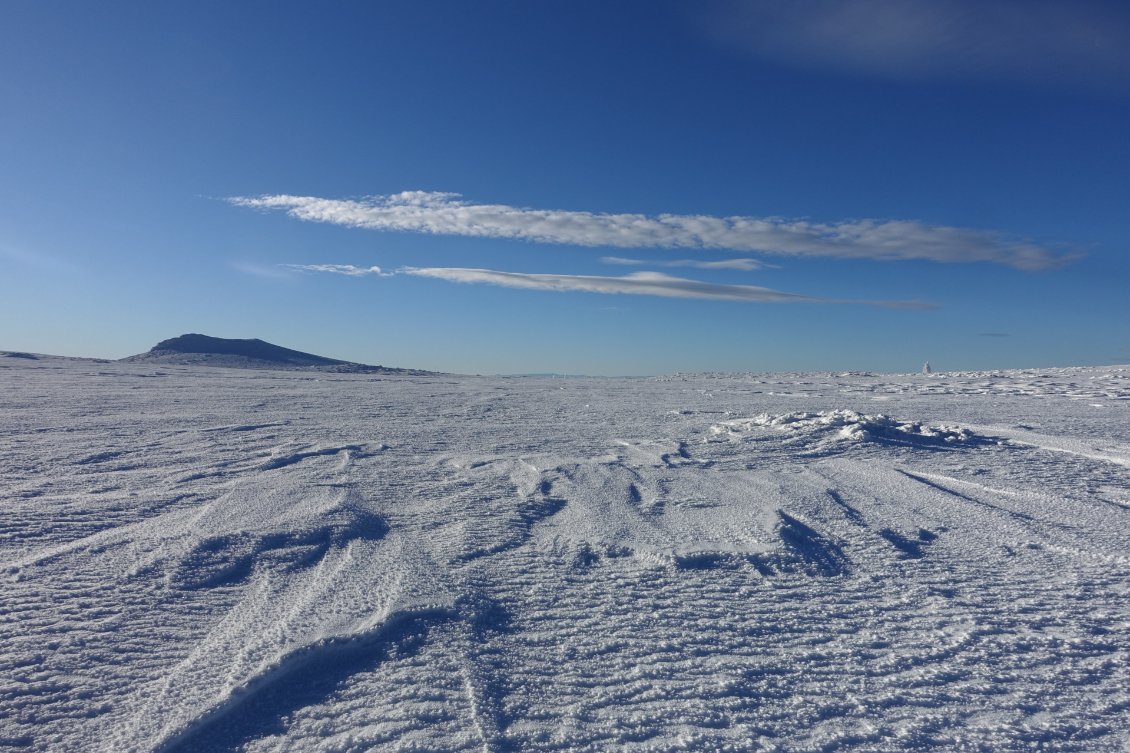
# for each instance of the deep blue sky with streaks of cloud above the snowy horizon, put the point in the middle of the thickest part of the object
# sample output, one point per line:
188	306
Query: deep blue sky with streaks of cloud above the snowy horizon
611	188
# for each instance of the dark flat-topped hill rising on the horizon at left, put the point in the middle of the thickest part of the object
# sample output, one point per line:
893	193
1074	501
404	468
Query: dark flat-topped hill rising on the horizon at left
205	351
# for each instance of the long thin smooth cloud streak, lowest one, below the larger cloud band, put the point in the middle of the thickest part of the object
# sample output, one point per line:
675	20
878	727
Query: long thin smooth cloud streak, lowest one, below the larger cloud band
642	283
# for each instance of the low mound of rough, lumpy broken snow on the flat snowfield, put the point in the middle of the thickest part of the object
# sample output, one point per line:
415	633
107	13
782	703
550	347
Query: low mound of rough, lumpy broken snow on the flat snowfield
842	426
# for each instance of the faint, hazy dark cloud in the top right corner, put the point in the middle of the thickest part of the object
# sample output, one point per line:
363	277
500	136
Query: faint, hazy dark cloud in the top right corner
1083	42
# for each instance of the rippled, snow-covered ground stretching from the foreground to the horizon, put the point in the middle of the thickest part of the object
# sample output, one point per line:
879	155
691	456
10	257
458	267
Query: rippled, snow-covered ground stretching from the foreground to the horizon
213	560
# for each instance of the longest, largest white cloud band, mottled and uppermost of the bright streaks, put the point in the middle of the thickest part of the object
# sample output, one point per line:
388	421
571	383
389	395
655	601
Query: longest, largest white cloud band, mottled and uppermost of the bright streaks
447	214
